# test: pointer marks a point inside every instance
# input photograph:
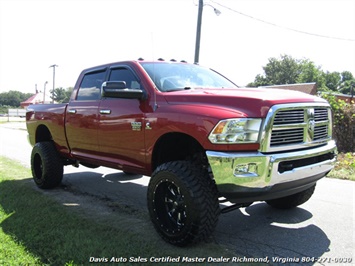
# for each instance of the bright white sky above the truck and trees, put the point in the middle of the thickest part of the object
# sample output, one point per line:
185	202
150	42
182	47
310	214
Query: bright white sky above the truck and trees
78	34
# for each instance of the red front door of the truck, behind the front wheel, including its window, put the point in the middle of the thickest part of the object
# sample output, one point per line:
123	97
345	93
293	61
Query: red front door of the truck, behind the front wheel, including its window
121	125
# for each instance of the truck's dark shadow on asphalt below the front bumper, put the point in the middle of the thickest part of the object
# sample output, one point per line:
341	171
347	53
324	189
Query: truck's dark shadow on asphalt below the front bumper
262	231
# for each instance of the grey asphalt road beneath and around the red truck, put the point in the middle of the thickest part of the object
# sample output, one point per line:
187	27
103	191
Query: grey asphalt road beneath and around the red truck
321	228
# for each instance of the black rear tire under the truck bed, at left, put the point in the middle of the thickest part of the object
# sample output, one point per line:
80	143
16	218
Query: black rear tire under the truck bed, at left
46	165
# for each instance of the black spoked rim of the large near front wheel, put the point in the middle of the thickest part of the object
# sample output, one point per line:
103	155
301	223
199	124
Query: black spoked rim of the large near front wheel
170	207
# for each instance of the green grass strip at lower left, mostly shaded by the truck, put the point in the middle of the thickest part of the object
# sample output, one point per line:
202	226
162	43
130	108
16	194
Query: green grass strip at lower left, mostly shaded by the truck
36	229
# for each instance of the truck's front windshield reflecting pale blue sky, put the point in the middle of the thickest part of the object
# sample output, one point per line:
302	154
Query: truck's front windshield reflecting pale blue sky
180	76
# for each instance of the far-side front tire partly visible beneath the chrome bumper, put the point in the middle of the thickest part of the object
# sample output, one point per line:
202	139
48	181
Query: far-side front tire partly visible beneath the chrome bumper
292	201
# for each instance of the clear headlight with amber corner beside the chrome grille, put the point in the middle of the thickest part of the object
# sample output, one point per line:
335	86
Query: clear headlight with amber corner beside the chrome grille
241	130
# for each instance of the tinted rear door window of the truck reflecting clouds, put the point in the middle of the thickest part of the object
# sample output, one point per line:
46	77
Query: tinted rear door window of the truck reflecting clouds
90	86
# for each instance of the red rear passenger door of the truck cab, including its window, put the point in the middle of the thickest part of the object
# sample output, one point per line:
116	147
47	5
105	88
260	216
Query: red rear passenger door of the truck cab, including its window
82	116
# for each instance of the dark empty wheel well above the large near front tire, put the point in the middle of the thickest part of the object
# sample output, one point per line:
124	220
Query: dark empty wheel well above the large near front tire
173	147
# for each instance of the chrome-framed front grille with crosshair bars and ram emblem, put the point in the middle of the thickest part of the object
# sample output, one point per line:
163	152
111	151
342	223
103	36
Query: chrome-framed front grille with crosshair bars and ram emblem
296	126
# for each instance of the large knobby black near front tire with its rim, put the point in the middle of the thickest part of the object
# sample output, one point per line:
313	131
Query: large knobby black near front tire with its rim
183	202
